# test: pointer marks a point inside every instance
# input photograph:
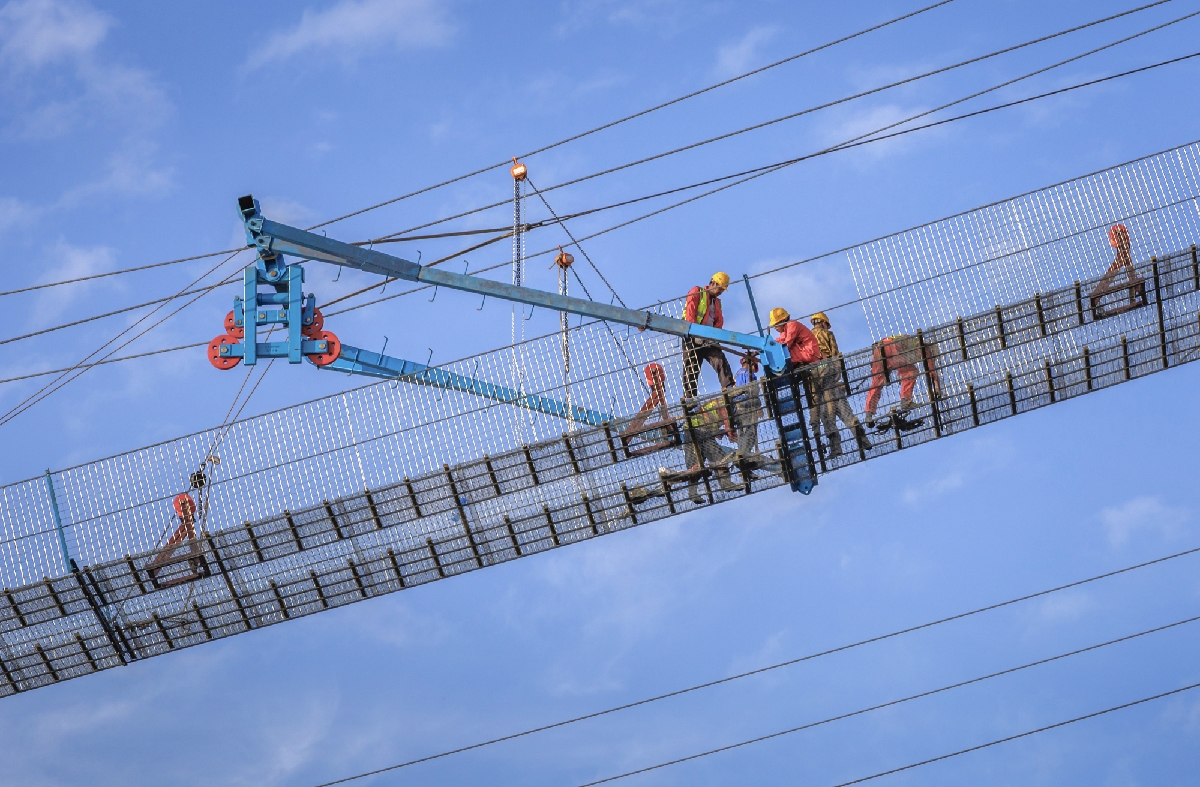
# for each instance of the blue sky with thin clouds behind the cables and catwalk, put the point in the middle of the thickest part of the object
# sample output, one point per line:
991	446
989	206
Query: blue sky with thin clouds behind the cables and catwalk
129	130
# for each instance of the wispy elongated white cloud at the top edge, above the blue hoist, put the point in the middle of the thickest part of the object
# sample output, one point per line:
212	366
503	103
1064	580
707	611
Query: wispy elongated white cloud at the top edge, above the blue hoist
353	26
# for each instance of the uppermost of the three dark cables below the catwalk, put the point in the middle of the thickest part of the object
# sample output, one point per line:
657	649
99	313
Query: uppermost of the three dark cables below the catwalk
710	684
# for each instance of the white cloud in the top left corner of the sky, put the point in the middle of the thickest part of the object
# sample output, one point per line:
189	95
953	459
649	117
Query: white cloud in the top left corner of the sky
39	33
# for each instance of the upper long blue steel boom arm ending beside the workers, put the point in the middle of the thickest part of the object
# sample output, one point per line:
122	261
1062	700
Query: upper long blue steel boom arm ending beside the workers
273	239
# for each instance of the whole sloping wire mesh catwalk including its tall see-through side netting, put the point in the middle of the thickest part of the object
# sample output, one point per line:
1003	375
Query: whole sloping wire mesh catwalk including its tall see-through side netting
394	485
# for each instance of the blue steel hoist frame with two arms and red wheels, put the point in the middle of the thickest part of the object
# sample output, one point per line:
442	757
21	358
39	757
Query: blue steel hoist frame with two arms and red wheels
273	297
